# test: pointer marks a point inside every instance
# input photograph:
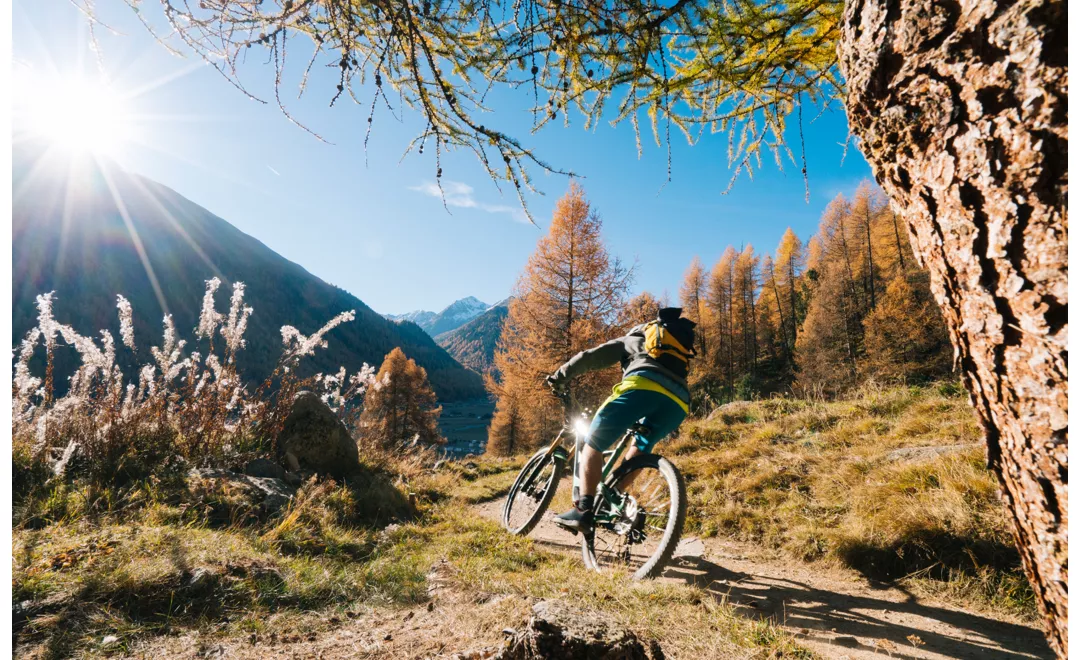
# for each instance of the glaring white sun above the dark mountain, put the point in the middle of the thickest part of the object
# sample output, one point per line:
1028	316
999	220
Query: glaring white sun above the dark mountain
79	114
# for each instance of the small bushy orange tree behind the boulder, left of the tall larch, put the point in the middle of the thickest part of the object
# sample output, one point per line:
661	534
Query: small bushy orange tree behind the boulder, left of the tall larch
403	410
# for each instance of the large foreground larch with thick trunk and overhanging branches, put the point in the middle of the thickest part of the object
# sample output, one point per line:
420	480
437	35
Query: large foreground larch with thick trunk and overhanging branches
961	109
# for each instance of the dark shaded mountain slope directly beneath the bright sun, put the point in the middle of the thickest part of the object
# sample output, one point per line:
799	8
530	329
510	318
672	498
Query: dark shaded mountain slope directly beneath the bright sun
72	236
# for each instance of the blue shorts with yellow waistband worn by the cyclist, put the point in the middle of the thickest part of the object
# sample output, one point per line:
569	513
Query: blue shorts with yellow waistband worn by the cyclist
656	411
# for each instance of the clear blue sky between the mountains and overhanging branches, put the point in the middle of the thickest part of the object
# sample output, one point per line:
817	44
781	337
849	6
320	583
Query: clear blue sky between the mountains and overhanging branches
373	228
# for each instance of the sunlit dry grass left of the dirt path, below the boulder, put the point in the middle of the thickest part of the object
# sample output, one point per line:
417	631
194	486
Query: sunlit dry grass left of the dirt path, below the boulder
163	560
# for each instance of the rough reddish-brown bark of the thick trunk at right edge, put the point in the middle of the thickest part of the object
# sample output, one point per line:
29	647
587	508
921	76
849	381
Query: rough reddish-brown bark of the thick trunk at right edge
961	109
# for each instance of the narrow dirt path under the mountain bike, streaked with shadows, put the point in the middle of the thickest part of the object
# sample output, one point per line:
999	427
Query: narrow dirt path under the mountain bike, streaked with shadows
838	614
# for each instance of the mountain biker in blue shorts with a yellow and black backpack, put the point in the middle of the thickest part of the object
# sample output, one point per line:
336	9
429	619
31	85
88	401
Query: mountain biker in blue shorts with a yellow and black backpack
654	392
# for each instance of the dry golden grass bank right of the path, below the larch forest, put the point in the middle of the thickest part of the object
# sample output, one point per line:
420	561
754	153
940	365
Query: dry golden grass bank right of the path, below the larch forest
892	483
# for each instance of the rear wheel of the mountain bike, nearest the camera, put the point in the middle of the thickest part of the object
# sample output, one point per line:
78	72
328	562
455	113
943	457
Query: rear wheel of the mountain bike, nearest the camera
640	524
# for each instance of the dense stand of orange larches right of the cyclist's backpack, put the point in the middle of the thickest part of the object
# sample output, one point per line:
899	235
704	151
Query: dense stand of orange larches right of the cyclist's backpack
850	305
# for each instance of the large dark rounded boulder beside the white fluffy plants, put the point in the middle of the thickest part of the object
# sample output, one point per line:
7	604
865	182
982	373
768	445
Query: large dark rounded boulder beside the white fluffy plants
317	439
